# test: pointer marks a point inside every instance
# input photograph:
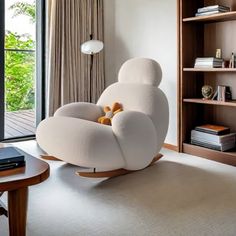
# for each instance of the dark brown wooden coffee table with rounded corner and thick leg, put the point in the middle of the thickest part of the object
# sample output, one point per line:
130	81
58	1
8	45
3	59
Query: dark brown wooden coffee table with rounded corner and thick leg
16	182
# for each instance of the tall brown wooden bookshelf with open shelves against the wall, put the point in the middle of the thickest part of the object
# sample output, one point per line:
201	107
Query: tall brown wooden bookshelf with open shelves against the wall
200	37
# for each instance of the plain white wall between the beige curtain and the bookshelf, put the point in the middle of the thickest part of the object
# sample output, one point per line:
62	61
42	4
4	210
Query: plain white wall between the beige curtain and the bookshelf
144	28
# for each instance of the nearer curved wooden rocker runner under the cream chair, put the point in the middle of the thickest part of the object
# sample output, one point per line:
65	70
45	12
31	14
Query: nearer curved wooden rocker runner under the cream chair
114	173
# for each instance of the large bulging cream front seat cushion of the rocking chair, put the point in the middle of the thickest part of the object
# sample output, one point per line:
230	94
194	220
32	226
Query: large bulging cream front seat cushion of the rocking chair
80	142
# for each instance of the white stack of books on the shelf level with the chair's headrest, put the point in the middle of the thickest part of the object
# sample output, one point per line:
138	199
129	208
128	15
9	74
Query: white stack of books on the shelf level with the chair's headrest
208	62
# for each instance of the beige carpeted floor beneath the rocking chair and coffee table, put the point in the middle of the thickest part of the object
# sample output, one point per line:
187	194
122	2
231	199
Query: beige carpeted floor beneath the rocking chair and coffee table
180	195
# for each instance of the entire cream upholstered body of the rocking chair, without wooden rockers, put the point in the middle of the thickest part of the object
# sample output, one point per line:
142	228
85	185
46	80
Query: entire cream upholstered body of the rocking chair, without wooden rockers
136	135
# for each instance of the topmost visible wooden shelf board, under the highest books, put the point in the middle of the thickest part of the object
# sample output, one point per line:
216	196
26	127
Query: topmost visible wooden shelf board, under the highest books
228	16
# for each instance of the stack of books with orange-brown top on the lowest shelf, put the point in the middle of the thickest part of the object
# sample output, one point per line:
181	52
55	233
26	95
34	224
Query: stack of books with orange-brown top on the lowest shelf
213	137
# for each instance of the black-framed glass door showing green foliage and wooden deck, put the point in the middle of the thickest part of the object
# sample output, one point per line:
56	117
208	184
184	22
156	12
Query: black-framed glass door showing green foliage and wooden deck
22	71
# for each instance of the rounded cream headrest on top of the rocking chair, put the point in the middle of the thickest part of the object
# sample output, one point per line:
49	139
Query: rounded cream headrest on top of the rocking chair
140	71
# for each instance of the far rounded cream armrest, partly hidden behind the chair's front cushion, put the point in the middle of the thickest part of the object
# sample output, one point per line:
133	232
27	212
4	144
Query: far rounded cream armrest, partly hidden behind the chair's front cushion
81	110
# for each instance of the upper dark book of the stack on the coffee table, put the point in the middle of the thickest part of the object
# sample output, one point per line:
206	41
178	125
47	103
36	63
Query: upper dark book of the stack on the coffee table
10	155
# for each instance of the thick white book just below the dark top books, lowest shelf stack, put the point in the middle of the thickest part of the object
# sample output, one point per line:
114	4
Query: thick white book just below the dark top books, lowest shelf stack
216	139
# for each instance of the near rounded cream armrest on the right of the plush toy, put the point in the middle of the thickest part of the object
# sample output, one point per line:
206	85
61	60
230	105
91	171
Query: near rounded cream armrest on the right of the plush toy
137	137
